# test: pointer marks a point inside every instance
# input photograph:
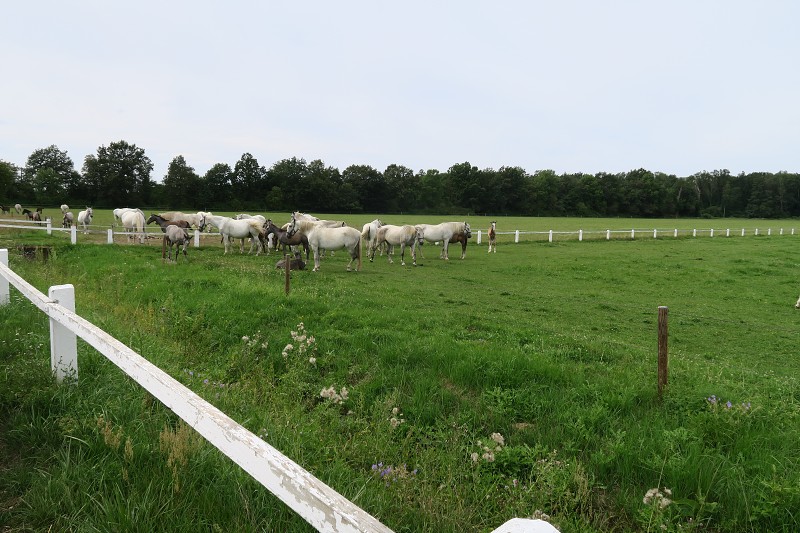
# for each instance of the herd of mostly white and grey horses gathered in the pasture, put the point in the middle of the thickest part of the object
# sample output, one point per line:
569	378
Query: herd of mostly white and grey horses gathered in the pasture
303	230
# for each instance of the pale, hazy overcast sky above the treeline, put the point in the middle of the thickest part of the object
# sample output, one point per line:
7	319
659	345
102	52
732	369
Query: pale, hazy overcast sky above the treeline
678	87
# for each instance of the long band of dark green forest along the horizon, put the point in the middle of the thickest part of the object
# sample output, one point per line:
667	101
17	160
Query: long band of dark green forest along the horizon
119	175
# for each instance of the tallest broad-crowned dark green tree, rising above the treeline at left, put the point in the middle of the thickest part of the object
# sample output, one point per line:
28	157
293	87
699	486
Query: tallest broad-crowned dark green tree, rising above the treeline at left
119	175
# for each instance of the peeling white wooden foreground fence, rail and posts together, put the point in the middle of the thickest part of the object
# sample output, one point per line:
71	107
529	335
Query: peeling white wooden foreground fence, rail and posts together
317	503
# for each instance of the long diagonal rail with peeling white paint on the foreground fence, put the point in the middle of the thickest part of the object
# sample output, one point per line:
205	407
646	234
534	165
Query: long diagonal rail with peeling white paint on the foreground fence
317	503
